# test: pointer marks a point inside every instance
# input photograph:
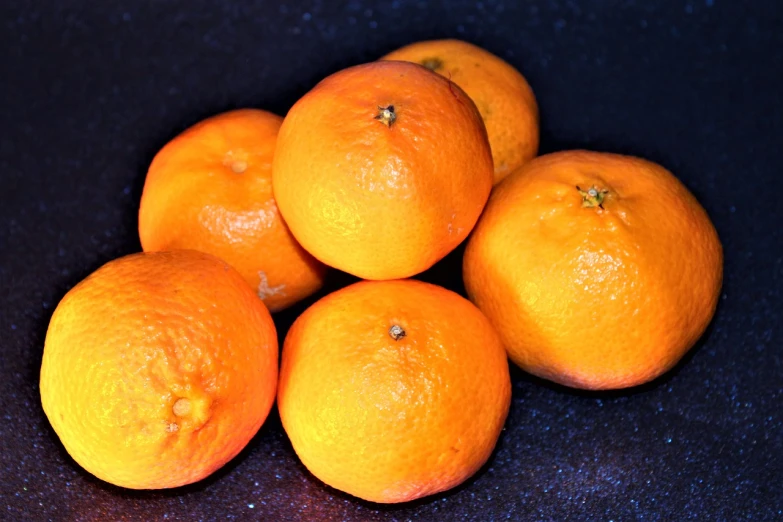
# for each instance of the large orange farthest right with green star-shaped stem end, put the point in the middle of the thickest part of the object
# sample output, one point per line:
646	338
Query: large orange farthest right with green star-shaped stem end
589	297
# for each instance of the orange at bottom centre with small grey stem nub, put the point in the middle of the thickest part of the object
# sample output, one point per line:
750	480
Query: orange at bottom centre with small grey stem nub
393	420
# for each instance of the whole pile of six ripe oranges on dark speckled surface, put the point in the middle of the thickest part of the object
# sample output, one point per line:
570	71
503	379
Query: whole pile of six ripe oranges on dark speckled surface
593	270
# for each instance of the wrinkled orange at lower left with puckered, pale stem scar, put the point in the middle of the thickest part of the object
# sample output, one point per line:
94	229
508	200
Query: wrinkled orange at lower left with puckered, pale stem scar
158	369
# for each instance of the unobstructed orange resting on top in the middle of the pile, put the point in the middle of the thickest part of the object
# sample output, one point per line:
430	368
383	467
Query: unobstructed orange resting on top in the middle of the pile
382	200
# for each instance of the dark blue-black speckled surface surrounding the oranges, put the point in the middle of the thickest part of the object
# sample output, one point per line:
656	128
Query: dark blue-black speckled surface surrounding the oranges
89	91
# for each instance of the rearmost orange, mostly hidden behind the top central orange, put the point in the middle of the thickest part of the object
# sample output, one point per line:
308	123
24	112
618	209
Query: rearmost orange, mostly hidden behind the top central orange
502	95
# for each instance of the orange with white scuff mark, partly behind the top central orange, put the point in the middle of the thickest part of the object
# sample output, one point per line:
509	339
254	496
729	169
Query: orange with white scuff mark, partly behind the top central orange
210	189
